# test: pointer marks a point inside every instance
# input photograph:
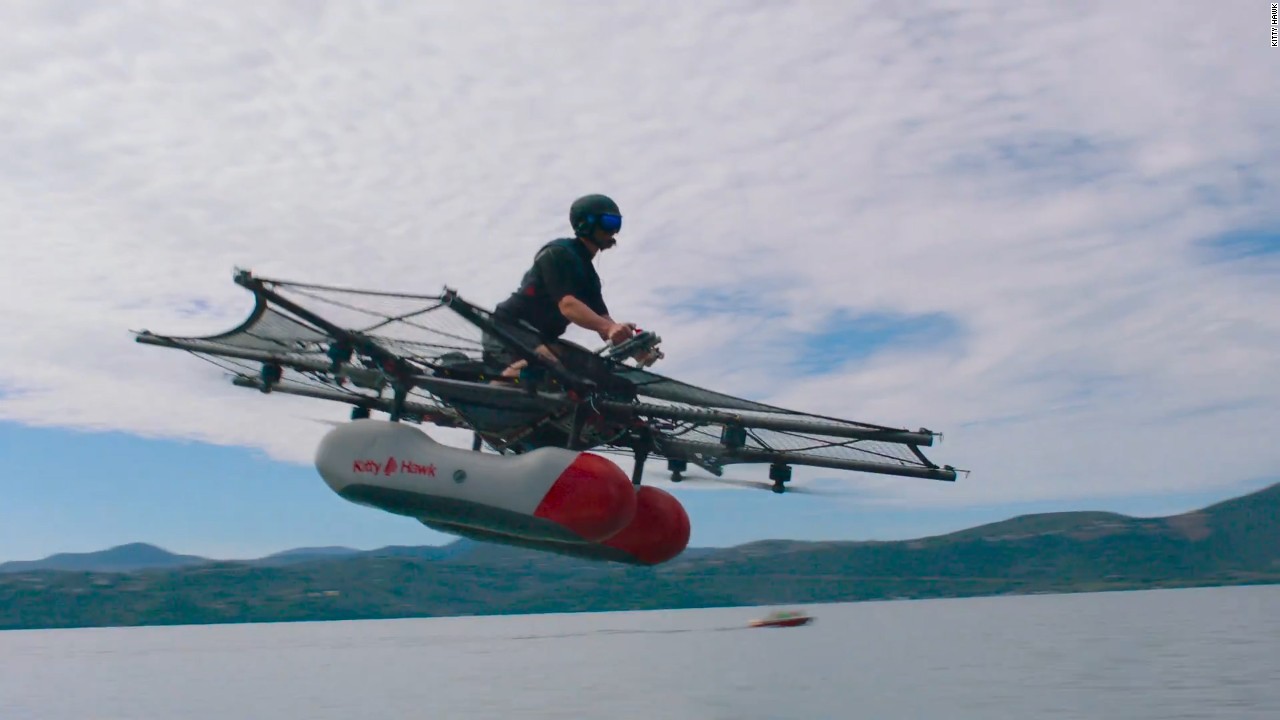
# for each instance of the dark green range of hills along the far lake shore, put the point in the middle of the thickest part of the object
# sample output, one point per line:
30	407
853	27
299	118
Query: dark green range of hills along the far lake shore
1231	543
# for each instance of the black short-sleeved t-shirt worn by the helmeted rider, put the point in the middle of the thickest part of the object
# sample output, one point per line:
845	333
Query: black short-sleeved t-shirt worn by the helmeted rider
563	267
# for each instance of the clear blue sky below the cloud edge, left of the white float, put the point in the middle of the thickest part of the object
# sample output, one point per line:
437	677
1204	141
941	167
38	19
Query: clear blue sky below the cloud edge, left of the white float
71	491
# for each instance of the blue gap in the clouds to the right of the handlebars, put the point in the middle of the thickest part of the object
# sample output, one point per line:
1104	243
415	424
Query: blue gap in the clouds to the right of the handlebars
848	338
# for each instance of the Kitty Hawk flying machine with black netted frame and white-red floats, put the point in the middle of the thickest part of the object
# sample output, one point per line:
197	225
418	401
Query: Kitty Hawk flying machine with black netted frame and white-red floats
533	476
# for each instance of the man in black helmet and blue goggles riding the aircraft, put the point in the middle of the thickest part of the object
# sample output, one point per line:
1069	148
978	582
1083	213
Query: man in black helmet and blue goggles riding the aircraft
564	288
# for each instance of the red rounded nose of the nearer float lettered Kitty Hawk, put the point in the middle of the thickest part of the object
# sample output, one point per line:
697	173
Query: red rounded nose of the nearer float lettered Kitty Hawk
593	498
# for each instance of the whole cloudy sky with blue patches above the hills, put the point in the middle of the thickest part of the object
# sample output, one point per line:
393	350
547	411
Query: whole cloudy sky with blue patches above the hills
1050	236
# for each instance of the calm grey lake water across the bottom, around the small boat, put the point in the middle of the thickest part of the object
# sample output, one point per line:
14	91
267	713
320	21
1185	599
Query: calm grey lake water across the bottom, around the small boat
1213	653
